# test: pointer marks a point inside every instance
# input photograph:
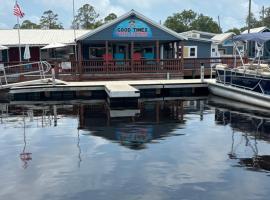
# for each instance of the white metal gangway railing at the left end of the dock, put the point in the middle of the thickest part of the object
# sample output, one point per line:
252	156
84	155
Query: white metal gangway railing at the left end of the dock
35	68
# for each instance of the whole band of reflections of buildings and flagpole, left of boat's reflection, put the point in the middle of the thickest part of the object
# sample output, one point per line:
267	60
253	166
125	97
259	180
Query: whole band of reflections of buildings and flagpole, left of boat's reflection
133	128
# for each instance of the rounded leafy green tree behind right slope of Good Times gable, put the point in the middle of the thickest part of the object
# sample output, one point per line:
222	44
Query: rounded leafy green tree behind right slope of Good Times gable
181	22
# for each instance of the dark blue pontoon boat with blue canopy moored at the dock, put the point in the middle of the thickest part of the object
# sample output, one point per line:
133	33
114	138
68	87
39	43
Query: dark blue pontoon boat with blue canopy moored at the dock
248	83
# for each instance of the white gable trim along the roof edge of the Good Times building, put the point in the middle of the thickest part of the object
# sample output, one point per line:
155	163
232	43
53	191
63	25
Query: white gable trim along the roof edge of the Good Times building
138	15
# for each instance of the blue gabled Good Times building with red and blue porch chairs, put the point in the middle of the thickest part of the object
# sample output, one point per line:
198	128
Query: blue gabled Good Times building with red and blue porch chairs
131	44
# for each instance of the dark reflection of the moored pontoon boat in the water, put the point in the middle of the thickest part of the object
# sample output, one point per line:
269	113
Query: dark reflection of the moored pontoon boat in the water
247	128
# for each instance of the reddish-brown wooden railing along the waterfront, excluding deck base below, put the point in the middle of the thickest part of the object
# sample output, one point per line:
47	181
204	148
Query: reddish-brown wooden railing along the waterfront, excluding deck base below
131	66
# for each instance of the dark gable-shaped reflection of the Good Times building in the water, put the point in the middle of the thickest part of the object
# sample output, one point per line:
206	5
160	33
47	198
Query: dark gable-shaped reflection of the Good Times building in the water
134	128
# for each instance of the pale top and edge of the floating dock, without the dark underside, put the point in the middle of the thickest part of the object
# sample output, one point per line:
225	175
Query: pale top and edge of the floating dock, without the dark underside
113	88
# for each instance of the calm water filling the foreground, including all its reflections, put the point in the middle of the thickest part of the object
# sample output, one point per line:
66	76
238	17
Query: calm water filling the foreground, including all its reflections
162	150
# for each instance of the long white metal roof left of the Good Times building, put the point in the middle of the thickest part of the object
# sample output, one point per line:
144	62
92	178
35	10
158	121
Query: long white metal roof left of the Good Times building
39	37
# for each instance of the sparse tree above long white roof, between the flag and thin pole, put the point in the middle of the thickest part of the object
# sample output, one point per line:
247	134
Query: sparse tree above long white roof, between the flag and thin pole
49	20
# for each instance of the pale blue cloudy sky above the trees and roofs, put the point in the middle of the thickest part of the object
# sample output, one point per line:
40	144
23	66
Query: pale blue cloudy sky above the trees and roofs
232	12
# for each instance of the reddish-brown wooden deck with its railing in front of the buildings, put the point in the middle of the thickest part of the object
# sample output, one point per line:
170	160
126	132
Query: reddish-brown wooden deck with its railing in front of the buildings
129	70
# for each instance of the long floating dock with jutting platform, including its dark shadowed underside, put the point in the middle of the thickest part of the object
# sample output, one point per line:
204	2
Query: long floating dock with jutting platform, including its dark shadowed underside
113	91
